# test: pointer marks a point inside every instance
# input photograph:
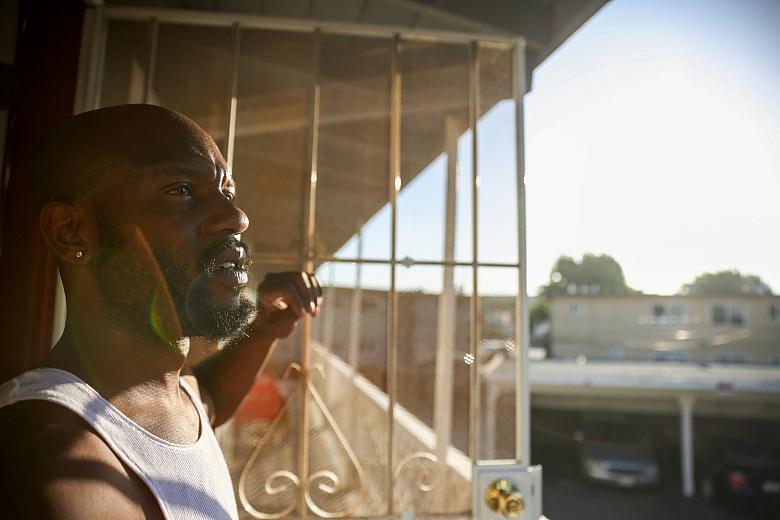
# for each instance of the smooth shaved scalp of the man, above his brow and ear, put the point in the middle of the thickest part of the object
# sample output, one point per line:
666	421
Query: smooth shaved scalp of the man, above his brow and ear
91	148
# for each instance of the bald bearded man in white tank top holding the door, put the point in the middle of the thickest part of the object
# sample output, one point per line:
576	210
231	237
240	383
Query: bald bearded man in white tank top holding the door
138	208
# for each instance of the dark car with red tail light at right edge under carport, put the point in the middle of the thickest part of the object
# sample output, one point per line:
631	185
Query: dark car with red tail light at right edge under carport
744	474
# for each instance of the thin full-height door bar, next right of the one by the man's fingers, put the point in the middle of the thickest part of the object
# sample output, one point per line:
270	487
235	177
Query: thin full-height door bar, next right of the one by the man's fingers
394	178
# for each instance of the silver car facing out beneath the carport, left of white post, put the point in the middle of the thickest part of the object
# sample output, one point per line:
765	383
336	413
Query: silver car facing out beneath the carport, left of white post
611	451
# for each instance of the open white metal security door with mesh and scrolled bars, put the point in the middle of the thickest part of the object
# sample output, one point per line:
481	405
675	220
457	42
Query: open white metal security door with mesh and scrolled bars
390	162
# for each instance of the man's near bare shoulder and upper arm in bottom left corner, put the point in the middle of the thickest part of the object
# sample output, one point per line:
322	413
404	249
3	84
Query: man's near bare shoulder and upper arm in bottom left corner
55	466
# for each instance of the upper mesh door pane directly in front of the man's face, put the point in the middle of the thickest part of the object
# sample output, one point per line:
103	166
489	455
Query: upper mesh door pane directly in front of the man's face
271	164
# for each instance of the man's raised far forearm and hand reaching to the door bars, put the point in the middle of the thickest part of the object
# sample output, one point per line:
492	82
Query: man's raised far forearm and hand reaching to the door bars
225	377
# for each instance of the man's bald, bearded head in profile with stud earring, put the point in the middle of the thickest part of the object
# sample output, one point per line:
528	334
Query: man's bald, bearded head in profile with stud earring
137	205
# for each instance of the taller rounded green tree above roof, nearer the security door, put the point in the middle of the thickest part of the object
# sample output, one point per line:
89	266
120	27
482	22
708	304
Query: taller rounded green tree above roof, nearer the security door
594	274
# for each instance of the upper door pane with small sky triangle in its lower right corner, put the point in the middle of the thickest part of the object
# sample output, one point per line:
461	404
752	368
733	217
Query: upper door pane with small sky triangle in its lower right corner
353	155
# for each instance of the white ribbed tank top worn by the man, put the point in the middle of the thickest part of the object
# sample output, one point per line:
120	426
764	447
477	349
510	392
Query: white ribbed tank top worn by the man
189	482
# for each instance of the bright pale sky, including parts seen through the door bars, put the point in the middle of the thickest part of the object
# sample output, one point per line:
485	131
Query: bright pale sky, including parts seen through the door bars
652	135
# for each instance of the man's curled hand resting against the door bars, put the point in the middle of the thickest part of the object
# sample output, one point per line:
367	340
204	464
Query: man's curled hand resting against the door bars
284	298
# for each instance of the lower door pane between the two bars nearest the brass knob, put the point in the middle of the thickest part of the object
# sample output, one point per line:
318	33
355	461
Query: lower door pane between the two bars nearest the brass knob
432	414
